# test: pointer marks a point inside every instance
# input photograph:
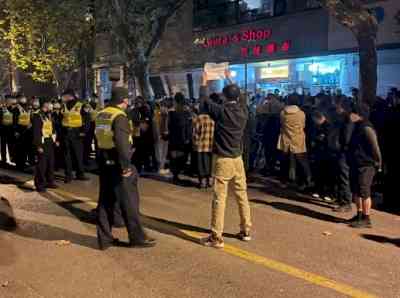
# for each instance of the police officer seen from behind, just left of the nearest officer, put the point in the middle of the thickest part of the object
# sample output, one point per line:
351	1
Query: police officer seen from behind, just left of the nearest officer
71	136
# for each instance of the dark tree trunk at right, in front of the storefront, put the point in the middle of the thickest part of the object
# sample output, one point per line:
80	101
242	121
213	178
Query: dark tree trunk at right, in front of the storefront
368	64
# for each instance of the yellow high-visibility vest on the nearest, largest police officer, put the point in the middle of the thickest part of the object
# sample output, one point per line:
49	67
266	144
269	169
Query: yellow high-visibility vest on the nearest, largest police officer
104	132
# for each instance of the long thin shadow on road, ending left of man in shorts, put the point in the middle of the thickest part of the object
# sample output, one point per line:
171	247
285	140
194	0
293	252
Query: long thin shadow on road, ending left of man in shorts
299	210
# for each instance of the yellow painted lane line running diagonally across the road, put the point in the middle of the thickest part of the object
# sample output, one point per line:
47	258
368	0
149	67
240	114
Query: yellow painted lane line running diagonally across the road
259	260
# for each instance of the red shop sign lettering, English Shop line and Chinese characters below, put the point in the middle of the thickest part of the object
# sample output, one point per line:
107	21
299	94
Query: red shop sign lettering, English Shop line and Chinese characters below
249	36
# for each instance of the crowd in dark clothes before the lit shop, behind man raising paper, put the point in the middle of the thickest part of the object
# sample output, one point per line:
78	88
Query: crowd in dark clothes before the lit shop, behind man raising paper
307	141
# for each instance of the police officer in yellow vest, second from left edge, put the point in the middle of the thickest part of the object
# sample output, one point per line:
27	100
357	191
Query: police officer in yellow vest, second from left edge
23	140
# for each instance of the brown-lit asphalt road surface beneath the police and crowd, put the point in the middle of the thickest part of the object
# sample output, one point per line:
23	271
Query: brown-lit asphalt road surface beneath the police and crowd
300	247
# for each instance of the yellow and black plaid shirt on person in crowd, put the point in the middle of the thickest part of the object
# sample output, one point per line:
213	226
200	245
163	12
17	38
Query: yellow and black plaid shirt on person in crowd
203	133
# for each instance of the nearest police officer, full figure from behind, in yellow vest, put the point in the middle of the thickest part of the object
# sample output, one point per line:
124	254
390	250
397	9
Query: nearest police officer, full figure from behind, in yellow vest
118	178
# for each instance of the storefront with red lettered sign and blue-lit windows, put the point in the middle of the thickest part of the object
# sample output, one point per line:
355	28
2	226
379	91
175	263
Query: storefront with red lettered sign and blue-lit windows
303	53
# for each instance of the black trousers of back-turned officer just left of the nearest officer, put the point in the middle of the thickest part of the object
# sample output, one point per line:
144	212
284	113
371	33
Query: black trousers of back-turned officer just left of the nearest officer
72	145
